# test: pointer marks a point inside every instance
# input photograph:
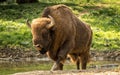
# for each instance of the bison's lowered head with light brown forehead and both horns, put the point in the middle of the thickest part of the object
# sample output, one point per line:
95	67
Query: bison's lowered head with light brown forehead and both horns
40	29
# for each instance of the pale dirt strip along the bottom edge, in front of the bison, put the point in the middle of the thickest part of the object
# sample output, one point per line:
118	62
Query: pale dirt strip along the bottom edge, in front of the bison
72	72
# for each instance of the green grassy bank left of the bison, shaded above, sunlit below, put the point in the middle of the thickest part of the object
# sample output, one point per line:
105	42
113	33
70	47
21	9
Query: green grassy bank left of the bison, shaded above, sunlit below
13	30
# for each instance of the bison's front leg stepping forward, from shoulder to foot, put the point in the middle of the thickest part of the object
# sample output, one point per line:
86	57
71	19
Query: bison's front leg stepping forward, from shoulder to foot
62	54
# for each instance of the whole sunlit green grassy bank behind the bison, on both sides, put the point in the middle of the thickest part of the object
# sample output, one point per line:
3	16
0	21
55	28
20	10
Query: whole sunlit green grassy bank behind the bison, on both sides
103	16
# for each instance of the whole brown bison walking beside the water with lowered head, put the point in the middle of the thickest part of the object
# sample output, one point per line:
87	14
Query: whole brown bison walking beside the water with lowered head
59	33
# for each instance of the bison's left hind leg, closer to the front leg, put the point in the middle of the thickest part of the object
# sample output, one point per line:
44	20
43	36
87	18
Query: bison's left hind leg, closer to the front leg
75	59
